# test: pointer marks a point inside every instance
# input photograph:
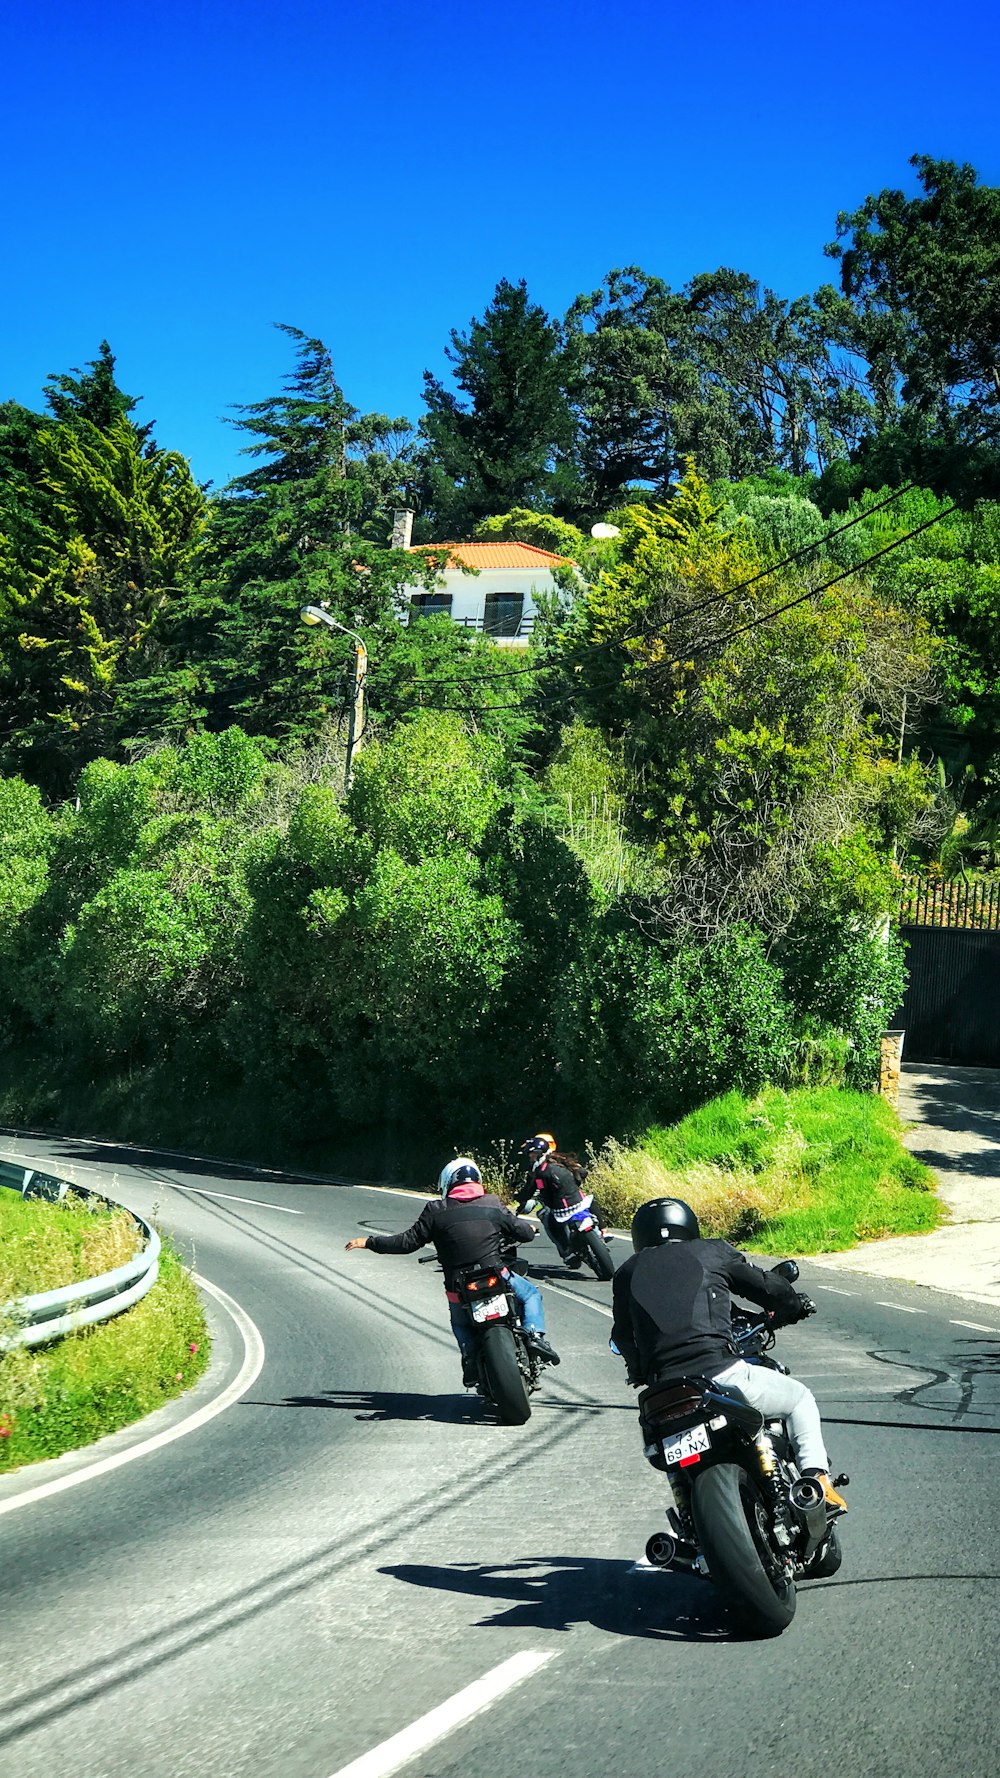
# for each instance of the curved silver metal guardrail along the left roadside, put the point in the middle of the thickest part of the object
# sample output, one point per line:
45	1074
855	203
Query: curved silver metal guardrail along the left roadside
49	1315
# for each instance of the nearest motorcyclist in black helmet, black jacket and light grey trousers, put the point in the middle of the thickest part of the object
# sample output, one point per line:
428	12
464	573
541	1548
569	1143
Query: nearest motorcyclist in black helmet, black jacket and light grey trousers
672	1318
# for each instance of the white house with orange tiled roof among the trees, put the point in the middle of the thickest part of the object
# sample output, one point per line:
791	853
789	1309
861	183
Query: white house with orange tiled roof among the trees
501	598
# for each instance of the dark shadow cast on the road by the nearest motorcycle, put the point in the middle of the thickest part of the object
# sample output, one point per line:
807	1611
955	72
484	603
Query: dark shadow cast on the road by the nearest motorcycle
558	1592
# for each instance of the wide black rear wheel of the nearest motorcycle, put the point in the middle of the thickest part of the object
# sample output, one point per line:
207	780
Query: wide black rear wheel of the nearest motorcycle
729	1516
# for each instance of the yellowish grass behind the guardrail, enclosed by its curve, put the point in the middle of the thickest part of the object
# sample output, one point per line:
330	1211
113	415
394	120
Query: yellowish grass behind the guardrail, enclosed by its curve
47	1245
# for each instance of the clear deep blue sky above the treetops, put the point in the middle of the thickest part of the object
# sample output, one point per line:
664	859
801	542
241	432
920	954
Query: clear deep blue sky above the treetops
179	179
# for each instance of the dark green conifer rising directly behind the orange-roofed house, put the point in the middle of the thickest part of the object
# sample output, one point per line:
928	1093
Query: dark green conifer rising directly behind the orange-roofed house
499	447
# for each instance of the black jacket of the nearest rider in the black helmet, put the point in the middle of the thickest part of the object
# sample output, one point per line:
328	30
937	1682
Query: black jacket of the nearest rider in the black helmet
672	1308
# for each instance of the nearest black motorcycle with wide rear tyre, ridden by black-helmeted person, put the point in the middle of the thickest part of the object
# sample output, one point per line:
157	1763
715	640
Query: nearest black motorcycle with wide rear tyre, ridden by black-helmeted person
743	1514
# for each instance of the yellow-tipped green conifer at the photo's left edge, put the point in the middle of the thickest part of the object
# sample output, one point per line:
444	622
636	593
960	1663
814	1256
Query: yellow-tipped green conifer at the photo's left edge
111	534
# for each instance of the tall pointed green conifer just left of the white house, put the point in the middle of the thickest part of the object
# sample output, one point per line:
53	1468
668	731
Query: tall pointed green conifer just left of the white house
280	536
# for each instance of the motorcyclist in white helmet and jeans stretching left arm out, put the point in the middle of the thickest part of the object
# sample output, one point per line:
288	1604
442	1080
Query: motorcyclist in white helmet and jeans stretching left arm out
471	1228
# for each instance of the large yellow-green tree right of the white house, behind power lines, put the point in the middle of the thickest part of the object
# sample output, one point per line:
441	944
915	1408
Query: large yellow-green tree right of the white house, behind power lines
762	744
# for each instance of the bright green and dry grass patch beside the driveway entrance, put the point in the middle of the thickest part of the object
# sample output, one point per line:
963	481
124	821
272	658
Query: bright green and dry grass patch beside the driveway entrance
789	1173
